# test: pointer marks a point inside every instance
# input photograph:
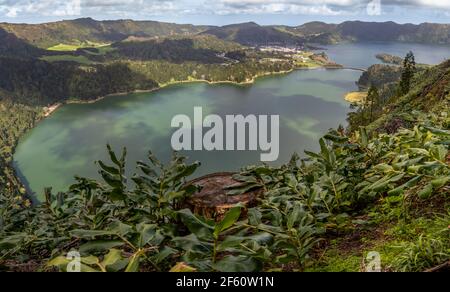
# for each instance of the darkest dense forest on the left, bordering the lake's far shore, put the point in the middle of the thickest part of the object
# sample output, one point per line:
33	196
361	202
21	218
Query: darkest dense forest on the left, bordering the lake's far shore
43	83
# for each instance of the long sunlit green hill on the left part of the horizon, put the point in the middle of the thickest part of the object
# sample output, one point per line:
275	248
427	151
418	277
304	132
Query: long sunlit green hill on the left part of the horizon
87	29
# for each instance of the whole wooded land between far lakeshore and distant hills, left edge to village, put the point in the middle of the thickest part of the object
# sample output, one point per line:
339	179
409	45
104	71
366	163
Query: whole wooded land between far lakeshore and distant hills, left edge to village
42	77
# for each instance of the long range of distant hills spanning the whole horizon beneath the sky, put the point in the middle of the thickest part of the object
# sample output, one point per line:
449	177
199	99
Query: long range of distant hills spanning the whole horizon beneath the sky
79	31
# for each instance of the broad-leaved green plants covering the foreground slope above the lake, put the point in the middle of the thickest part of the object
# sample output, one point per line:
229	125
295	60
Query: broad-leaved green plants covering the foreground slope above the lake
142	224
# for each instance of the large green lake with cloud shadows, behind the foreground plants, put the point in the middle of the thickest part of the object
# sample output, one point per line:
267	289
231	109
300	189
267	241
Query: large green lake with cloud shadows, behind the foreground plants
67	143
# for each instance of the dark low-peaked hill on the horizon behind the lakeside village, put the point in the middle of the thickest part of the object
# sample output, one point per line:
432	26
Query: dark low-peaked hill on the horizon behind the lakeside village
252	34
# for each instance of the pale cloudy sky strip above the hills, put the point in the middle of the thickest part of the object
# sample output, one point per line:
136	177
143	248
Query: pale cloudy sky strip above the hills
219	12
